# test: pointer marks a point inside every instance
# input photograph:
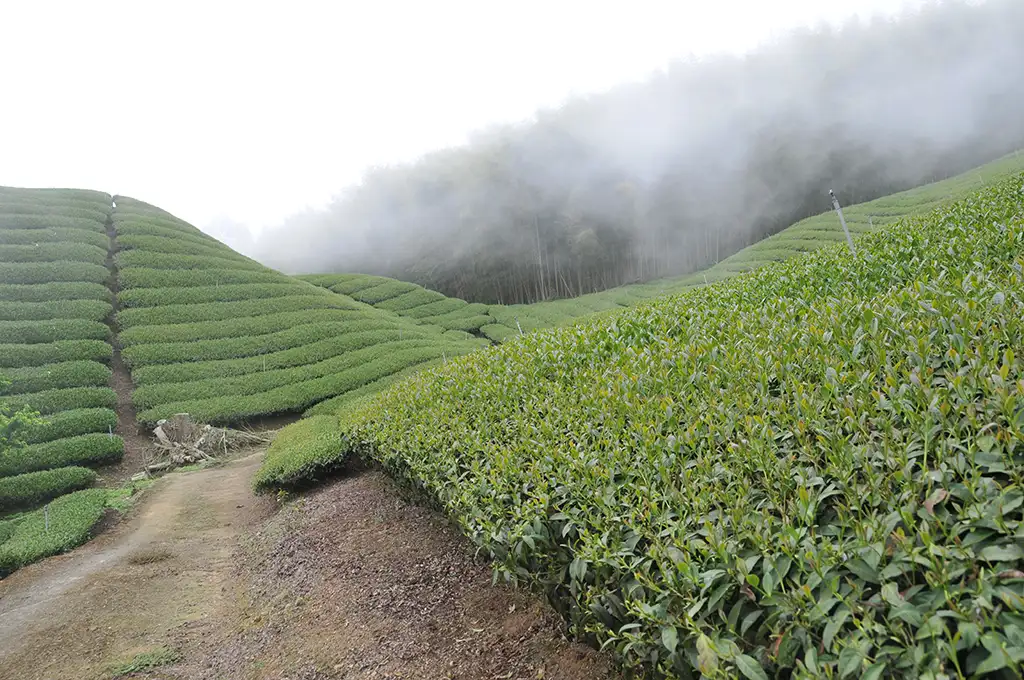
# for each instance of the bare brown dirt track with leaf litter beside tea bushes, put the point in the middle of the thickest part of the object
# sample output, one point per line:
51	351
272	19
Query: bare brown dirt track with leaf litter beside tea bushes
346	582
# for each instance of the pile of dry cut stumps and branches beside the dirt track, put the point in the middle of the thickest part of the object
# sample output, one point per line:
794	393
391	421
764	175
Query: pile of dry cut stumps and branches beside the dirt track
181	441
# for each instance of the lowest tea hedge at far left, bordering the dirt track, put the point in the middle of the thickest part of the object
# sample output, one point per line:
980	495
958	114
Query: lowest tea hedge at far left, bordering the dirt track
71	521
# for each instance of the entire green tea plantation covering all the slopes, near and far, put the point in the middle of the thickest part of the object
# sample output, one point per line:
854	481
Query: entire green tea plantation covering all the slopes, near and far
806	470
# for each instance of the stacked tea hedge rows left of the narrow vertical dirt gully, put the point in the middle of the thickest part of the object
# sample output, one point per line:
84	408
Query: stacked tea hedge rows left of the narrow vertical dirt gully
55	355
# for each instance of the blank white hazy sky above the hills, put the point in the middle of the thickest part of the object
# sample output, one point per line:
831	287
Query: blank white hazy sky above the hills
252	111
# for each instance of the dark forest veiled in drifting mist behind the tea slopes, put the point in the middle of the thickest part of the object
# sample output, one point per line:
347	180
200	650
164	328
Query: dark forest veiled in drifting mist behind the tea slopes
670	176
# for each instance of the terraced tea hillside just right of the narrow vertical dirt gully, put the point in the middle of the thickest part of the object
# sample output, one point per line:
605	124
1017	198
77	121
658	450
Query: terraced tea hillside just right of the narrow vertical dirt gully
209	332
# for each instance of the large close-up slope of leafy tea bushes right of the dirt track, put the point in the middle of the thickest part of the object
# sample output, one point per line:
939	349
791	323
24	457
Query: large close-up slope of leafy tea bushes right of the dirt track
809	471
